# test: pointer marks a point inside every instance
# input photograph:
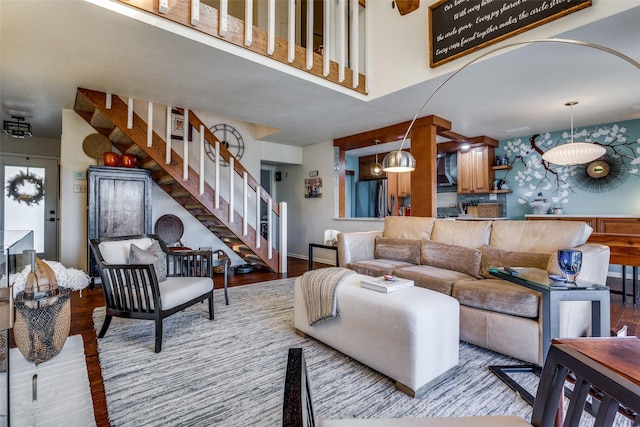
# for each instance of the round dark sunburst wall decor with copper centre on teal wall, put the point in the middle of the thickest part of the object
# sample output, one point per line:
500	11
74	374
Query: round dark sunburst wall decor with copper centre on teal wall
603	174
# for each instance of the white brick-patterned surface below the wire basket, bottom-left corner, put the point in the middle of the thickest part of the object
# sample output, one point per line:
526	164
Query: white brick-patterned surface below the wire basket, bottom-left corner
63	392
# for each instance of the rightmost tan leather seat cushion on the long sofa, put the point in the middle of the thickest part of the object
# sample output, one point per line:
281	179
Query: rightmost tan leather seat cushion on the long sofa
499	296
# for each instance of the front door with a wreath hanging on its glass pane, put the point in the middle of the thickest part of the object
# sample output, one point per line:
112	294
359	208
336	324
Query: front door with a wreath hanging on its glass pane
30	200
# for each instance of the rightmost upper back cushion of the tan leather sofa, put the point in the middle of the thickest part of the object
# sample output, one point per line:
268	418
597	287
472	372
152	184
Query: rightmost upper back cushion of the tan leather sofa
539	236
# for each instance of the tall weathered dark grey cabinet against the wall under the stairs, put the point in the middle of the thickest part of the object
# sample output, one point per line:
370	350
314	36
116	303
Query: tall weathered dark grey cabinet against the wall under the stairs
118	204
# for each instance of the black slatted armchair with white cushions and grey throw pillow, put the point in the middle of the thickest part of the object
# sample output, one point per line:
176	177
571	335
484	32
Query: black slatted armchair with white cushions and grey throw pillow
142	279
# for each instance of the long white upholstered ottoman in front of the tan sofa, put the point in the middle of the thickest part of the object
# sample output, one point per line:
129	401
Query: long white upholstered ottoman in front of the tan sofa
411	335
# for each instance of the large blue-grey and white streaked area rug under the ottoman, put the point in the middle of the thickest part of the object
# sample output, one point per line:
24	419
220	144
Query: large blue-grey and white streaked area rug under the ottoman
230	371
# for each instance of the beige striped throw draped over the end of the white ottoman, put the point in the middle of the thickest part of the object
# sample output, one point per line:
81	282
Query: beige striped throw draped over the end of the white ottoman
319	292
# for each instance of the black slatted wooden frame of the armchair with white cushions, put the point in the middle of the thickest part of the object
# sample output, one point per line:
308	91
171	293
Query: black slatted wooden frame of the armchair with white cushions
131	290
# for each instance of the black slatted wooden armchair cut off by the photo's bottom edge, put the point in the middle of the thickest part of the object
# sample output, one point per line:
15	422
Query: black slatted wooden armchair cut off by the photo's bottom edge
614	391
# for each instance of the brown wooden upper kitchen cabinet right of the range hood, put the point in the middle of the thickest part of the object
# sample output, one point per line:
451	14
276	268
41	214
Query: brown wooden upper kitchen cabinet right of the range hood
475	174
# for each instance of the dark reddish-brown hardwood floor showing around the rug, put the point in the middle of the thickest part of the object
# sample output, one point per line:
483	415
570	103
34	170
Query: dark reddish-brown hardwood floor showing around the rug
82	323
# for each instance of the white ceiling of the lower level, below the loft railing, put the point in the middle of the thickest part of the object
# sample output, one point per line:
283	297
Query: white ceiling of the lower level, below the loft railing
48	49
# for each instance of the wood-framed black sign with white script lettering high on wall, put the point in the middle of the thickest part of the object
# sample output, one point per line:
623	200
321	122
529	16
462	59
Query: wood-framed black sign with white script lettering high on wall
459	27
